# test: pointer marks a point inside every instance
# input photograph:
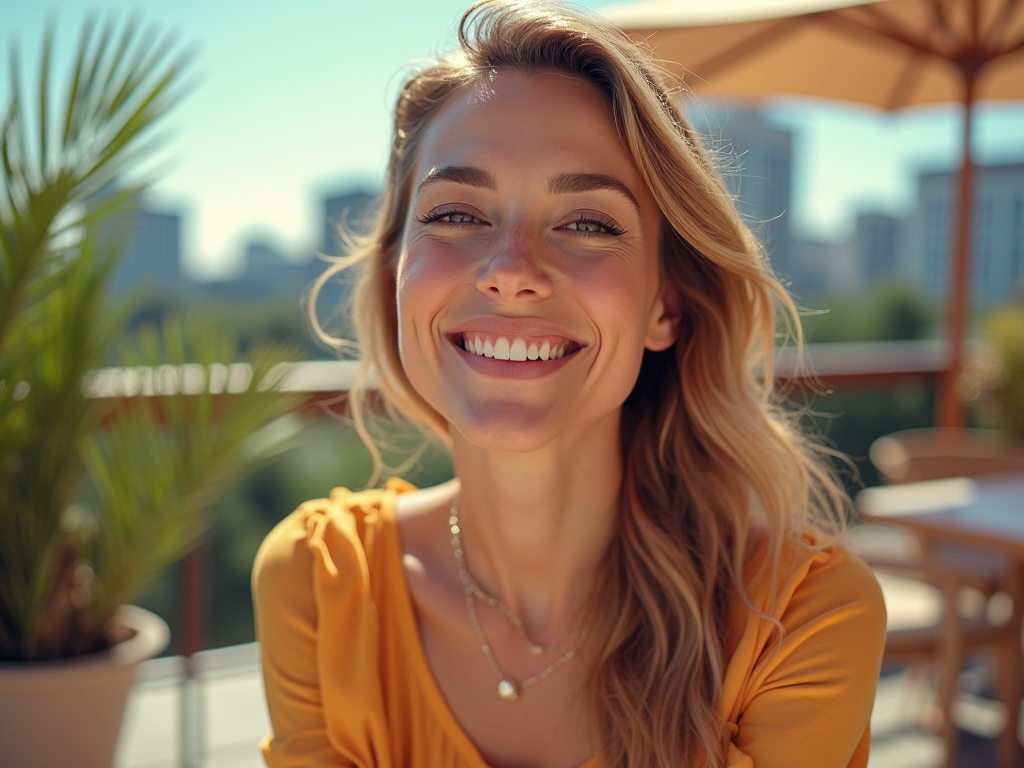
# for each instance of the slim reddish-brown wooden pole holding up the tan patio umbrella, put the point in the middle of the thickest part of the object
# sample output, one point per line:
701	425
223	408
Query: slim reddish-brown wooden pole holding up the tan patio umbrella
950	411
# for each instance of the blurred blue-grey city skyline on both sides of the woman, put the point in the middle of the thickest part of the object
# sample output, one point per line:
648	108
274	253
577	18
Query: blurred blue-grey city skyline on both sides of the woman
911	249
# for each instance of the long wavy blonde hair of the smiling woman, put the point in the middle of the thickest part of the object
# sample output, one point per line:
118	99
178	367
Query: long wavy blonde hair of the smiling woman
707	446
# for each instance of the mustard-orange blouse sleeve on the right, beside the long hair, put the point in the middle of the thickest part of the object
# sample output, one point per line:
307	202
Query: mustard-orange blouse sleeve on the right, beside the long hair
806	702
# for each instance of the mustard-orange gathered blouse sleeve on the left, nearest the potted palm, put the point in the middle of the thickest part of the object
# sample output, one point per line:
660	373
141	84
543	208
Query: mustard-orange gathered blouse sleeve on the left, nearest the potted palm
317	625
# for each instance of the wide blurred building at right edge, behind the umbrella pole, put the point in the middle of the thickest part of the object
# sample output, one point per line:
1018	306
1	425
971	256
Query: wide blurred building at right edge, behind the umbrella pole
998	237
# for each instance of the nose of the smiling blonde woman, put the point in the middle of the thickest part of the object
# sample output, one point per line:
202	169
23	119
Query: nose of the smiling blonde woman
515	270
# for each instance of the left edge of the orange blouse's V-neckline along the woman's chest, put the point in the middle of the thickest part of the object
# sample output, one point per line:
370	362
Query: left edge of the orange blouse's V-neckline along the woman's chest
411	632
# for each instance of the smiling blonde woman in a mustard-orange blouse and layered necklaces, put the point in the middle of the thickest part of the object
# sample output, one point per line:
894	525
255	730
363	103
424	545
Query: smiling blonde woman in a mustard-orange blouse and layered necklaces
639	561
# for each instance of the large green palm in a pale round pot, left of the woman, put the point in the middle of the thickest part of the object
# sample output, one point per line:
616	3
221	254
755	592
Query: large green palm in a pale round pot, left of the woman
103	484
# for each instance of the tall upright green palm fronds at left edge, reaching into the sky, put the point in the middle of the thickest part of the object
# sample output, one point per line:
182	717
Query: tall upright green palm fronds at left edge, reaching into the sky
56	323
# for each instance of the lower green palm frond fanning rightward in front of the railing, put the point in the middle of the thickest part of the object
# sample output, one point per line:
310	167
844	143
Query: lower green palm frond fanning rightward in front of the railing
163	461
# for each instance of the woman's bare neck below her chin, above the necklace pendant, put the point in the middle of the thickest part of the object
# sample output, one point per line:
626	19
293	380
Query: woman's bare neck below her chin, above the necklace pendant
536	526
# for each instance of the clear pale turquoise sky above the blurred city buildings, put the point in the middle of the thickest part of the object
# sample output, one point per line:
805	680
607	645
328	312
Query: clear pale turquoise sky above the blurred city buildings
293	101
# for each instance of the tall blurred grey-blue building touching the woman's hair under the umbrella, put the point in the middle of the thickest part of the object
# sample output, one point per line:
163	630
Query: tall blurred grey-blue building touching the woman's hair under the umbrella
756	159
